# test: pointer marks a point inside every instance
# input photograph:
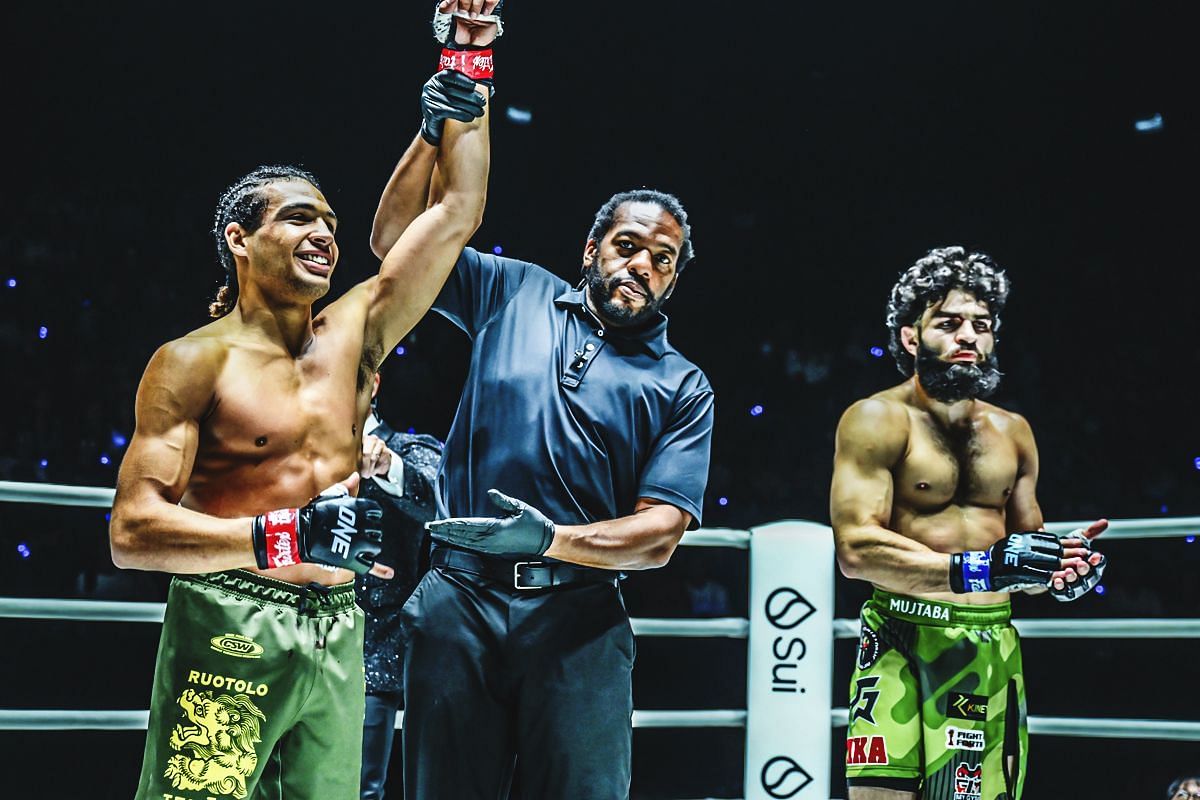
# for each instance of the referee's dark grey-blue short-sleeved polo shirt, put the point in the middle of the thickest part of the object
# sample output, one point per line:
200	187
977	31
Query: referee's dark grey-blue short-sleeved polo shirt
577	420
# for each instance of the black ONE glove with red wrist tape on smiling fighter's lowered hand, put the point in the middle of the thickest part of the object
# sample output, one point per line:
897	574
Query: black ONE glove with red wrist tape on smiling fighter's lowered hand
334	530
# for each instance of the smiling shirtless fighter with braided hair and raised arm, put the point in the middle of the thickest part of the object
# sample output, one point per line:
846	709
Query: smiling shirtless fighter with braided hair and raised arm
241	474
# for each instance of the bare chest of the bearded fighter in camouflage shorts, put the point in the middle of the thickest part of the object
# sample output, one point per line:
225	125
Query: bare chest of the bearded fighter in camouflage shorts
974	466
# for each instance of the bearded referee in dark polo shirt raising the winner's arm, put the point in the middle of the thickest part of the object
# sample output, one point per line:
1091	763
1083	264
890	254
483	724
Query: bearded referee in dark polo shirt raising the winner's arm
580	449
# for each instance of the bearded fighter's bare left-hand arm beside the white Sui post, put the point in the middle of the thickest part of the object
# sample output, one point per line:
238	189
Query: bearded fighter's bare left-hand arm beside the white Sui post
872	440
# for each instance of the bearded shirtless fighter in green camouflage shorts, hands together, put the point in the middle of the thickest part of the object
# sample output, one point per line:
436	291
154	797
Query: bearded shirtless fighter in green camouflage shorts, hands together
934	502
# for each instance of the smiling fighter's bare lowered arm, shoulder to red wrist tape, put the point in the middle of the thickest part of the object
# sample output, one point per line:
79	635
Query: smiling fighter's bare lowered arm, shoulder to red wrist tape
149	530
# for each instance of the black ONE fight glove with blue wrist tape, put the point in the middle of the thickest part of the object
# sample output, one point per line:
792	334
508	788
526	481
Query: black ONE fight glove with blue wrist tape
1018	562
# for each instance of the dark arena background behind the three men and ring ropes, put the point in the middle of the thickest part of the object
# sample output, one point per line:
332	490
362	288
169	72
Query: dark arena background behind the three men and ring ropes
819	148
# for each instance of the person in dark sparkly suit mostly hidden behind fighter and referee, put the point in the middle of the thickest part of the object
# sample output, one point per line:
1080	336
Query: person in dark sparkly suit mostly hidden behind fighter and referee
400	472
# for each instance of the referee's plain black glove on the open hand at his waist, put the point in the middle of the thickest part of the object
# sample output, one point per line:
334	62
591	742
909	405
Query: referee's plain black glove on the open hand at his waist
525	530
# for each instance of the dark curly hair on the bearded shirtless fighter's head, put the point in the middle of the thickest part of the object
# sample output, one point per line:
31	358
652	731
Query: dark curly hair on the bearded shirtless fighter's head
931	280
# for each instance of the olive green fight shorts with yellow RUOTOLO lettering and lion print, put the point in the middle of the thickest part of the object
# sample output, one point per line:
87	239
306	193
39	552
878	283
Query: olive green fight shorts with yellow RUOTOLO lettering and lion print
259	693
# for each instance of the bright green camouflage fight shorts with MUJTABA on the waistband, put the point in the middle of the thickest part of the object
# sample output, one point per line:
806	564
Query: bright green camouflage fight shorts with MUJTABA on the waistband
938	701
